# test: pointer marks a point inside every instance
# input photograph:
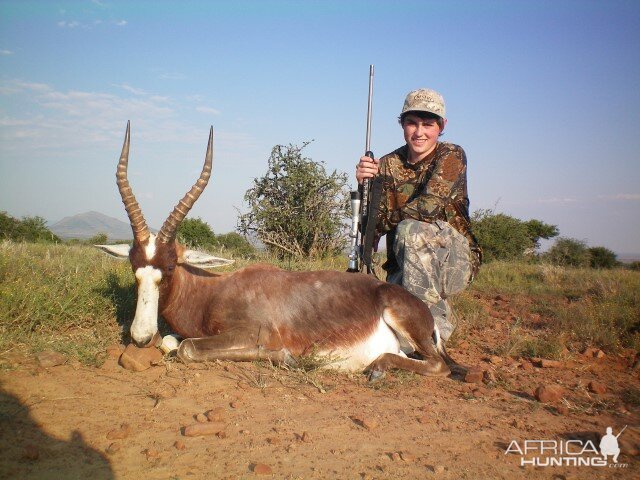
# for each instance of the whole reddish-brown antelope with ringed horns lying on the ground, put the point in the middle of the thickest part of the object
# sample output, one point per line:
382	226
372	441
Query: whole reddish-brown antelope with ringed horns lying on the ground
263	312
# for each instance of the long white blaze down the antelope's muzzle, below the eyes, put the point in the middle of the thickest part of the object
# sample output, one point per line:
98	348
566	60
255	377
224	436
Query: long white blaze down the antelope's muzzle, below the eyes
145	323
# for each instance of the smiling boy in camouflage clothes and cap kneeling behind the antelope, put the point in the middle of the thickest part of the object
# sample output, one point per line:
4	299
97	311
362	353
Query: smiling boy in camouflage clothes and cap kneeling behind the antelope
424	209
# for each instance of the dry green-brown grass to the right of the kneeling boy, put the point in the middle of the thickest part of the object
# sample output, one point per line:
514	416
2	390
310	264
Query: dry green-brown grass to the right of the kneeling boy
583	306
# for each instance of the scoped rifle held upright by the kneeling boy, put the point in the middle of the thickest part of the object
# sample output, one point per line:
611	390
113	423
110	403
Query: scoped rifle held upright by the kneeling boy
364	208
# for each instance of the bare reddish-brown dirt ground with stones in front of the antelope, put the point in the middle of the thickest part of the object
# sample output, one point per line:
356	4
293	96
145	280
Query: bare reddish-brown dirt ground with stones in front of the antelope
75	421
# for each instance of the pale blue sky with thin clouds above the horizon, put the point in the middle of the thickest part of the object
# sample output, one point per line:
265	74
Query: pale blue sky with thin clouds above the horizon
542	95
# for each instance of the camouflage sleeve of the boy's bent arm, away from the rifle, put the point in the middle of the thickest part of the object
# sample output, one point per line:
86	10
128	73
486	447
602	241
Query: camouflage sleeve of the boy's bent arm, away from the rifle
447	186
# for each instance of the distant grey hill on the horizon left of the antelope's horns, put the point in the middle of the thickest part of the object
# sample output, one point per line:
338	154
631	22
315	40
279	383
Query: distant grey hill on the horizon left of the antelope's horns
86	225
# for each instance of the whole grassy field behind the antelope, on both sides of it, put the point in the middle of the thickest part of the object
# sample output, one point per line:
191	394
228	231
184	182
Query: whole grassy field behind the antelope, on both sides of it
77	300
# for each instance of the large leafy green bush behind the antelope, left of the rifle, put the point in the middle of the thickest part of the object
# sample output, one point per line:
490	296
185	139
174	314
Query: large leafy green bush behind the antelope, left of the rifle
296	209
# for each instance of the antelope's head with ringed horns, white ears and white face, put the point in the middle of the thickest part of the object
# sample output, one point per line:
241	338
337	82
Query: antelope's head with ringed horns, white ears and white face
154	258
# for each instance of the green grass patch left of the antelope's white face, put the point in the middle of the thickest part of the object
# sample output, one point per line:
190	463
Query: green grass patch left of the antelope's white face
74	300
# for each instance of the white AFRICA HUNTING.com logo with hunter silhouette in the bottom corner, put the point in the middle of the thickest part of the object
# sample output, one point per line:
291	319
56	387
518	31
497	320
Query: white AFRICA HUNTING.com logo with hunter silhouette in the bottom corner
569	453
